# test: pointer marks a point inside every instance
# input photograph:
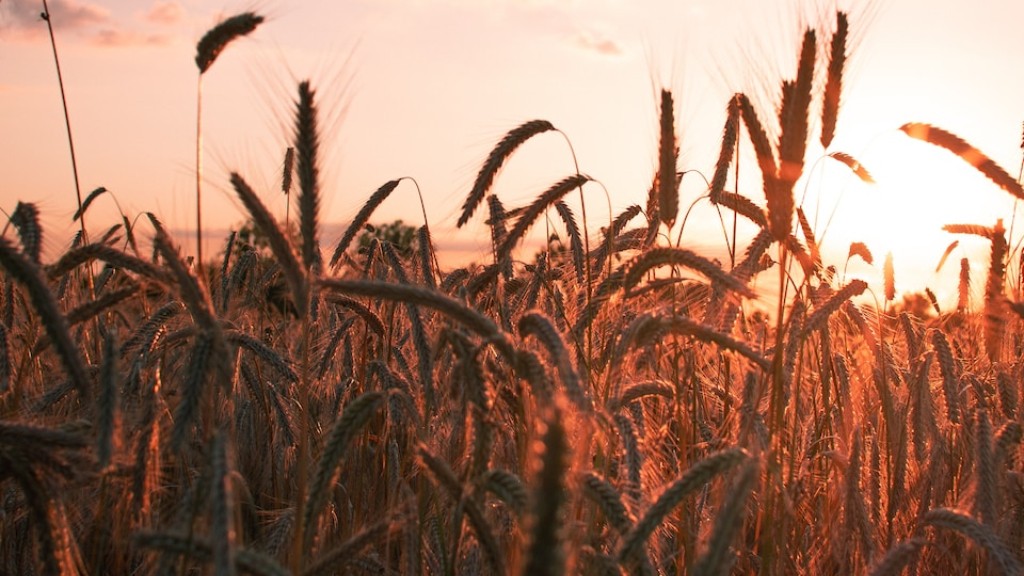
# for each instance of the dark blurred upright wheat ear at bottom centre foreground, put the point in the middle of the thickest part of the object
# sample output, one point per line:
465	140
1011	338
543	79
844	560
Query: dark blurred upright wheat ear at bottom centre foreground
546	556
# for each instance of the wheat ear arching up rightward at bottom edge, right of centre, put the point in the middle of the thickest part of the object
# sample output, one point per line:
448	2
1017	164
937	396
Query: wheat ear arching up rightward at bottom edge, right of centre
694	479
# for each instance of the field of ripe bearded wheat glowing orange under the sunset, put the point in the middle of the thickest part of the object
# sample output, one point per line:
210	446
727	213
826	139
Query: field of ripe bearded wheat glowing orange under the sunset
613	404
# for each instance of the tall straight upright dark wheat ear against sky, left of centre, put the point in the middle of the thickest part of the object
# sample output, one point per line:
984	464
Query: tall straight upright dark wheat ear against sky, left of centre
308	167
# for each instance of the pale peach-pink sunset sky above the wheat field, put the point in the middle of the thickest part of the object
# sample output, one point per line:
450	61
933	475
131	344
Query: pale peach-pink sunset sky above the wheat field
424	89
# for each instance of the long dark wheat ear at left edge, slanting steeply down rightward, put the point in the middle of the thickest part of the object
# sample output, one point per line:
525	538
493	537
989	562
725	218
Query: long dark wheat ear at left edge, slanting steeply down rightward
28	274
